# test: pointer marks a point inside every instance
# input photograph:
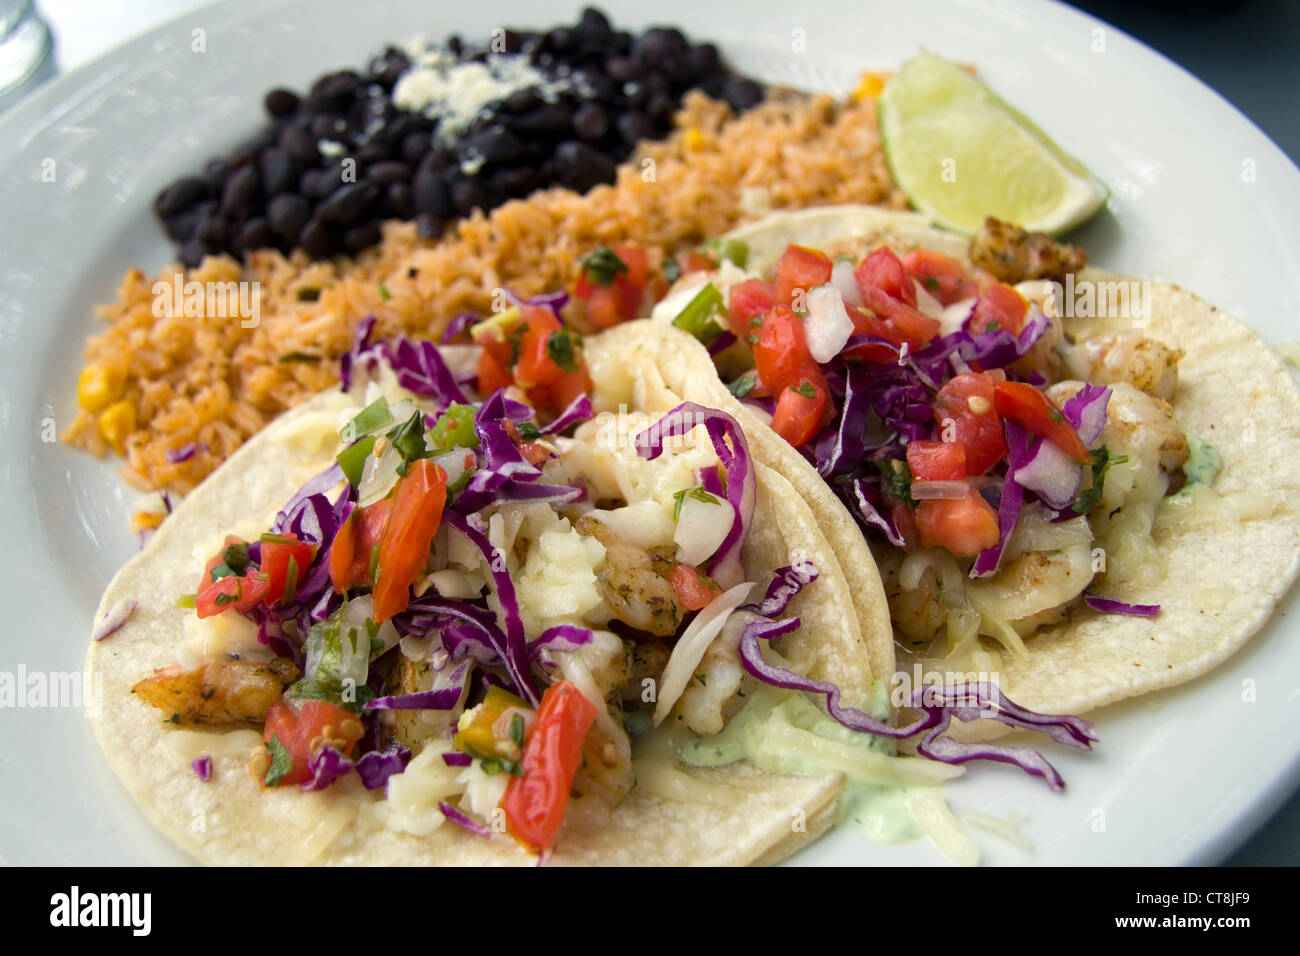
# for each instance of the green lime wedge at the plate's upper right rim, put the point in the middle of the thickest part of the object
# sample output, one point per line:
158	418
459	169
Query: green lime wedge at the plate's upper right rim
960	154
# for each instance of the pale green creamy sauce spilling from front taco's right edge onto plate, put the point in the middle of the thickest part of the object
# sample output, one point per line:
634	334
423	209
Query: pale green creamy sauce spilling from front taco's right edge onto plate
879	812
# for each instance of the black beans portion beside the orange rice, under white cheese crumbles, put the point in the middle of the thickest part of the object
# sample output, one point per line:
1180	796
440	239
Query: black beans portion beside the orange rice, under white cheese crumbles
337	161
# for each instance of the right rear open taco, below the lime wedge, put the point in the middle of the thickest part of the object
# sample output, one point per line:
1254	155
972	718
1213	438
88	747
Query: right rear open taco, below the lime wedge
1078	485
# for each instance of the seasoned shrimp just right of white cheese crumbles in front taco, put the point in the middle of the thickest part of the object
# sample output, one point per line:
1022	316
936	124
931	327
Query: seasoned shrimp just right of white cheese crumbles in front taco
635	582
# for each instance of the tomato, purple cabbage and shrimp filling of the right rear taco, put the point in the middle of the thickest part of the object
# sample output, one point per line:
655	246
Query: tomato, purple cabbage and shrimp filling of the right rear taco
1004	473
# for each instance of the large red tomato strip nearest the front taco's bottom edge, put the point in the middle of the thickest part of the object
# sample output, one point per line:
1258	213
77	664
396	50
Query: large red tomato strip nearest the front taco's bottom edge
535	802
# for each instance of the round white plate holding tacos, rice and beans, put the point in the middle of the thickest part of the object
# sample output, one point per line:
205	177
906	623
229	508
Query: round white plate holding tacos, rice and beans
1202	198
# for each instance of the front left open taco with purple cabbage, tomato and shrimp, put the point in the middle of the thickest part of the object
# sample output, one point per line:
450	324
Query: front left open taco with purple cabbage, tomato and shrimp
421	626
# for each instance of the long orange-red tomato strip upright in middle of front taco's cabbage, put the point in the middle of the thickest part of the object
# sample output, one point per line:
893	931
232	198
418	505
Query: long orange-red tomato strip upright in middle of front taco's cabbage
418	503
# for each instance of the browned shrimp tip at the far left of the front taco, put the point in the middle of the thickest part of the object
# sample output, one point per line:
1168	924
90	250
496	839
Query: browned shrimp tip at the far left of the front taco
224	693
